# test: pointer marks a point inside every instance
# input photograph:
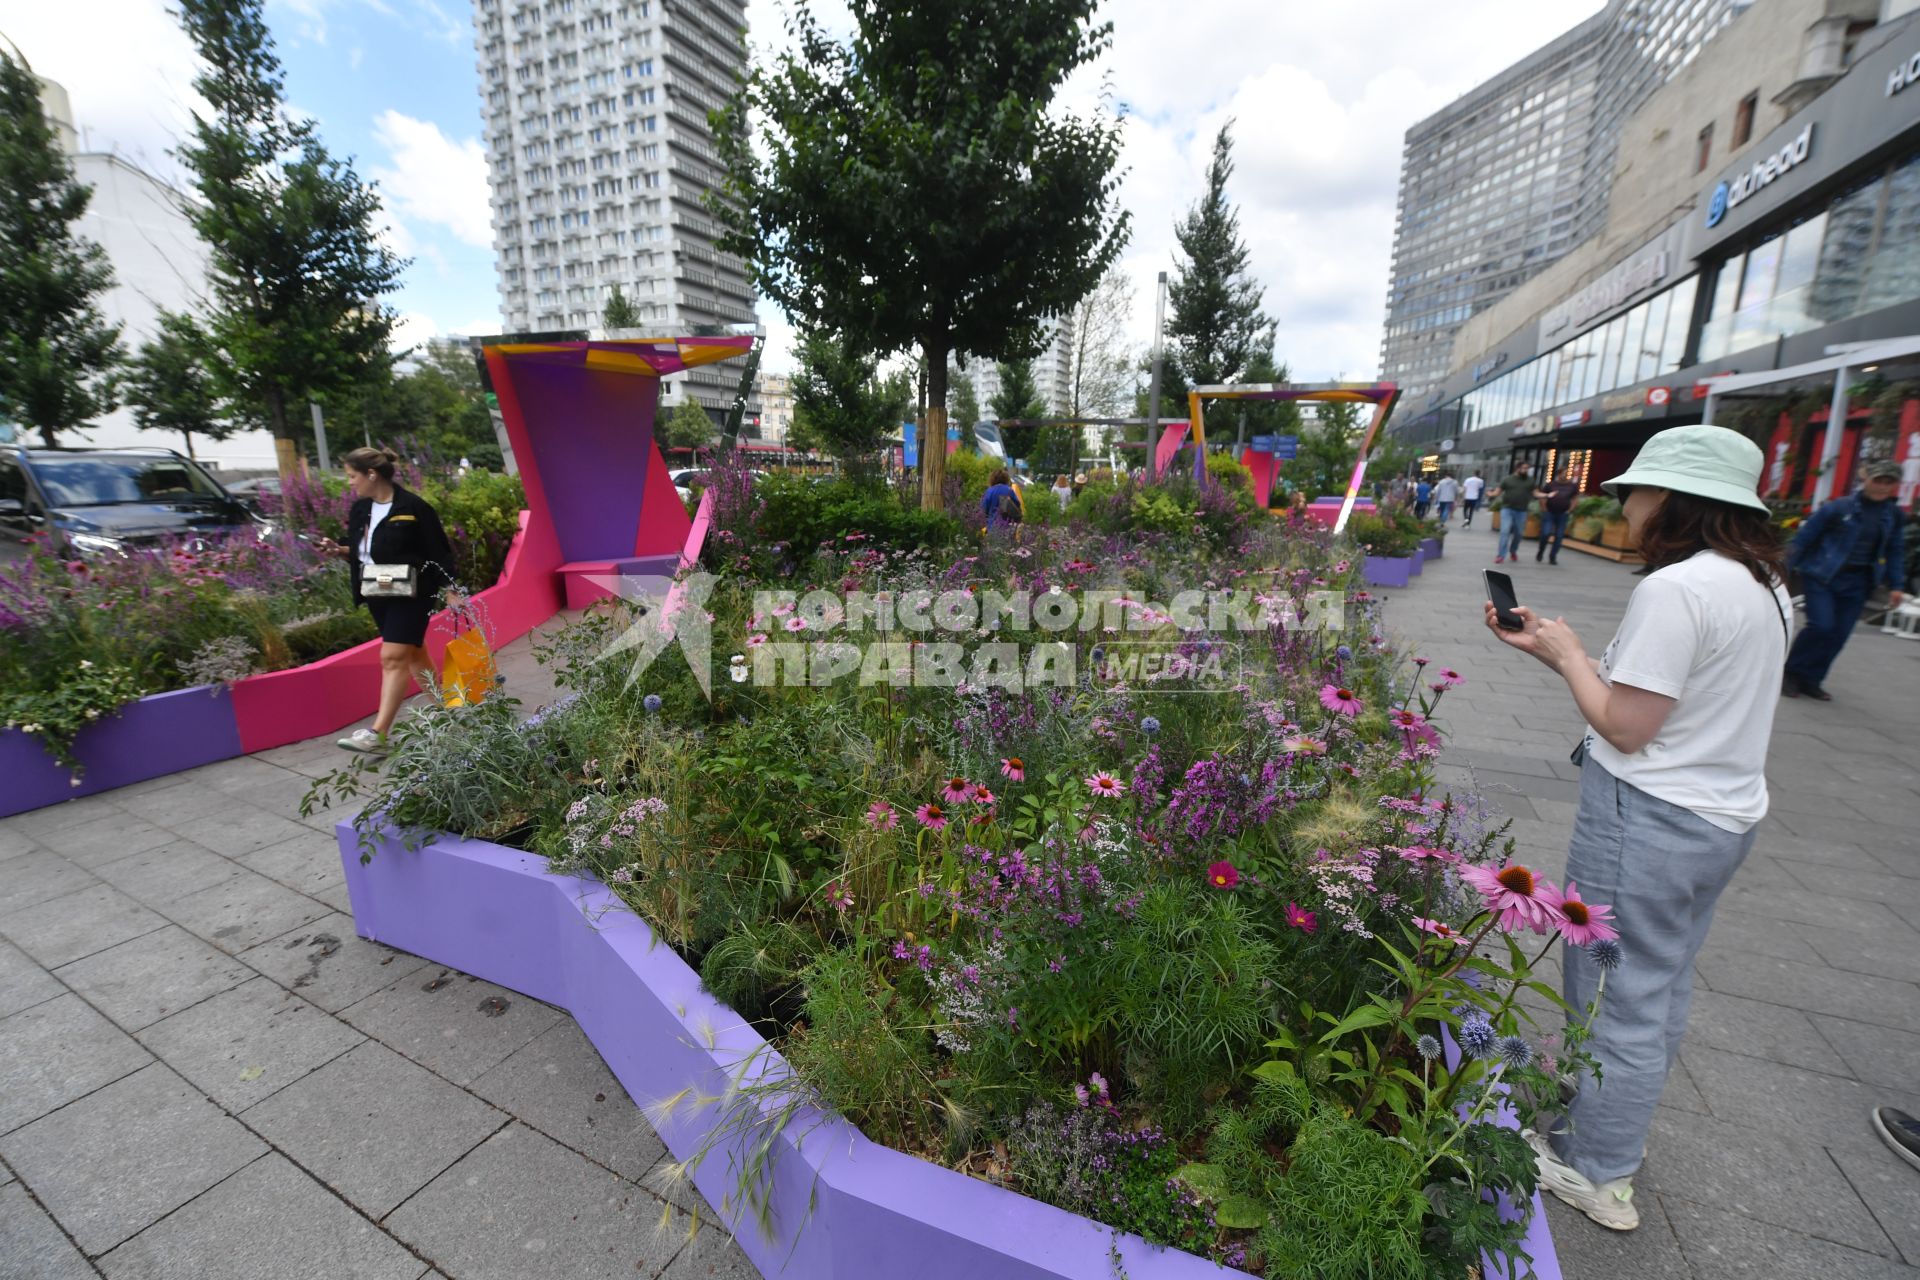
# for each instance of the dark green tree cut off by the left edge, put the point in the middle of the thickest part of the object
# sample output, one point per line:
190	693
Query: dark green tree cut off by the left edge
57	350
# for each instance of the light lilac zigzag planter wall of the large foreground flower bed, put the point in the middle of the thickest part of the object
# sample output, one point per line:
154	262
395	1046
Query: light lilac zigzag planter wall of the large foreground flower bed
842	1206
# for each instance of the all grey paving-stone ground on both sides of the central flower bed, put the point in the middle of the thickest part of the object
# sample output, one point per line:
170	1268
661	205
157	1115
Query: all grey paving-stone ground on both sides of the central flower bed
206	1074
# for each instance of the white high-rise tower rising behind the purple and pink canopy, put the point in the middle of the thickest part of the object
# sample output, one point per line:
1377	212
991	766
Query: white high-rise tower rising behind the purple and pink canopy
602	158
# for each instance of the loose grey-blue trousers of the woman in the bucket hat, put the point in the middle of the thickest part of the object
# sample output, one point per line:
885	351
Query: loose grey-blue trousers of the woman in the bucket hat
1662	868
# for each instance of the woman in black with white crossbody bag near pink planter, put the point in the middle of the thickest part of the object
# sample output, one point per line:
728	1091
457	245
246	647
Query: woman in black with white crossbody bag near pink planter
391	525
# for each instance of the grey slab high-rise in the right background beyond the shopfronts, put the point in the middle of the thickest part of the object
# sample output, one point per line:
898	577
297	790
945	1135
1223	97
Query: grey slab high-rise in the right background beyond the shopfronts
1518	172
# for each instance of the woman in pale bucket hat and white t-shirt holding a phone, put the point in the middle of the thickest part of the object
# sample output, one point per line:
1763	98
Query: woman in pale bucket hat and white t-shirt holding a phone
1679	715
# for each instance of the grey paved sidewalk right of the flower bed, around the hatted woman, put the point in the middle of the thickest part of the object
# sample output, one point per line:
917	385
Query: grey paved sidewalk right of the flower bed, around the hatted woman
1808	993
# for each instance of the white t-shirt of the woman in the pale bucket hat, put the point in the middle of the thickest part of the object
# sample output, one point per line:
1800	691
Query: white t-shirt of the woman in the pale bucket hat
1708	636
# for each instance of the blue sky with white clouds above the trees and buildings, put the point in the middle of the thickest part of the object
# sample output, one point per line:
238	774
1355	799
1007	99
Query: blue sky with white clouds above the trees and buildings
1320	97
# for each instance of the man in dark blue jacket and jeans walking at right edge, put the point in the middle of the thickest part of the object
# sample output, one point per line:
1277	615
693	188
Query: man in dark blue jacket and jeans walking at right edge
1842	554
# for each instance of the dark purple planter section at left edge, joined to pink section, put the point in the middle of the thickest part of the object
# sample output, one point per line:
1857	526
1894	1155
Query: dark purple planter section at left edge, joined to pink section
160	734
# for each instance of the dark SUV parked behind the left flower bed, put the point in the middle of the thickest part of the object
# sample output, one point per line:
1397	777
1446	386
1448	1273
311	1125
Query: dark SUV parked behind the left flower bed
108	502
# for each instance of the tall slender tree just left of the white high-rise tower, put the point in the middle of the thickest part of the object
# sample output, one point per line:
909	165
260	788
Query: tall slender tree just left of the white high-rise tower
297	270
